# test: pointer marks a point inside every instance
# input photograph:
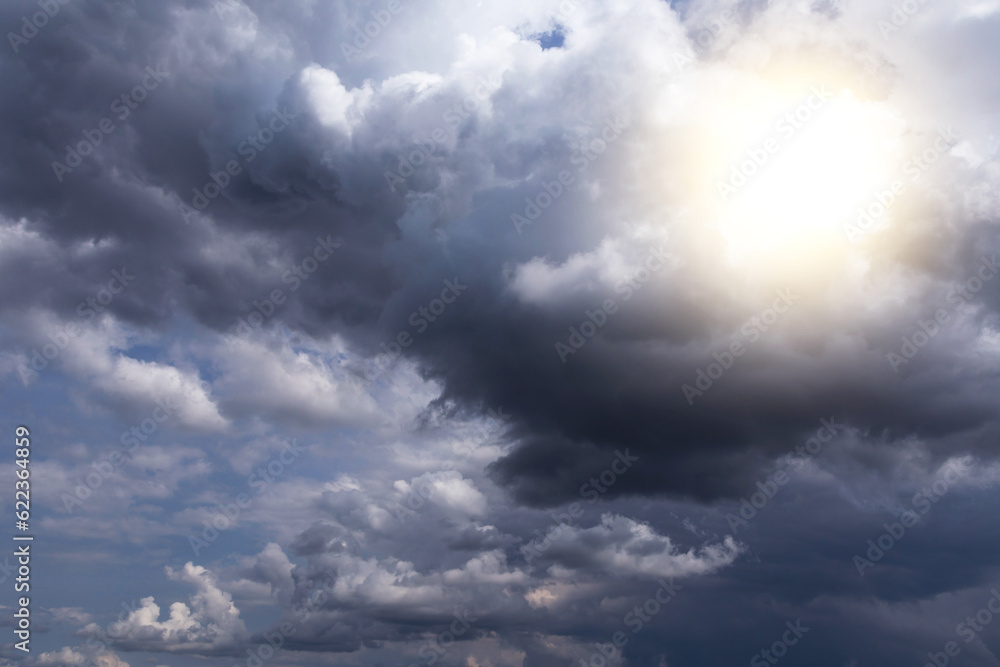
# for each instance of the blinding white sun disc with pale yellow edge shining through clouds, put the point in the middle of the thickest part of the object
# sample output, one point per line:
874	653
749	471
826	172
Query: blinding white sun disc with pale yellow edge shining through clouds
787	168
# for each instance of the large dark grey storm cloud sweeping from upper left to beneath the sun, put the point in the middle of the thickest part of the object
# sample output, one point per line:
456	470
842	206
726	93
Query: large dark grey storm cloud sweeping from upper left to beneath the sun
491	349
